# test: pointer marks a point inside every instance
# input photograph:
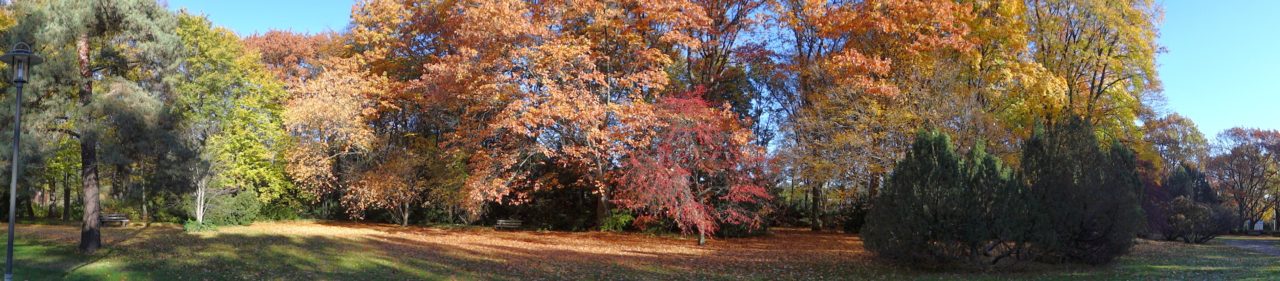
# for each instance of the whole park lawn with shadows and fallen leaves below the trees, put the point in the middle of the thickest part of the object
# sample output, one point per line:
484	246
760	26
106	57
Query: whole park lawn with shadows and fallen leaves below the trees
324	251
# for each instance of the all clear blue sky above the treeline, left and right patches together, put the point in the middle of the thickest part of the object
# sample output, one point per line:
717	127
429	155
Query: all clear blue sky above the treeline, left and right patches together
1222	68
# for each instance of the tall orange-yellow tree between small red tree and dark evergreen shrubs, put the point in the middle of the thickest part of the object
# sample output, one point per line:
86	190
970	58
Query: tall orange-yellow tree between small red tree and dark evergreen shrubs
840	93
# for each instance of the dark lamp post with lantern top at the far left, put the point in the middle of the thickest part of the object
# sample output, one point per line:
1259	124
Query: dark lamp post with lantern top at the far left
21	59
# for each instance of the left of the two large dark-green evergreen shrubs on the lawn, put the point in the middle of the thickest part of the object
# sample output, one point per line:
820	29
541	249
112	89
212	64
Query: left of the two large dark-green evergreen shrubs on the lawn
938	209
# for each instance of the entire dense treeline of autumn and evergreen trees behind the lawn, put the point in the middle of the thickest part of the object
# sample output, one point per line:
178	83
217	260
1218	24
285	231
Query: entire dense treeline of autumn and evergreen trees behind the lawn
703	117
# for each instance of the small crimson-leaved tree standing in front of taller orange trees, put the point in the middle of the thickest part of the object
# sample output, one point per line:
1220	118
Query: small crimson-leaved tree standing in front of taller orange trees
701	169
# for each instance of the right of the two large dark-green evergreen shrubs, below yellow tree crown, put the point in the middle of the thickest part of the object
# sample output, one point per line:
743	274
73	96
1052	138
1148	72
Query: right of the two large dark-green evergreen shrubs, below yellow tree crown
1090	197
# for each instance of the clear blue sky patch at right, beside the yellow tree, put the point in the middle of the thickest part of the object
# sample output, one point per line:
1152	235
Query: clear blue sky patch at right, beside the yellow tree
1223	67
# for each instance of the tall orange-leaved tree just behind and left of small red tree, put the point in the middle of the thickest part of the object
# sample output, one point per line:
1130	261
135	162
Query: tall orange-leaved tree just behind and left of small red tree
589	89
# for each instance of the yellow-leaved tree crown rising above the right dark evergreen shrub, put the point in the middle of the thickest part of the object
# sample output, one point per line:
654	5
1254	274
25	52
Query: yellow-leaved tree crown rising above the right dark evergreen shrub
1105	52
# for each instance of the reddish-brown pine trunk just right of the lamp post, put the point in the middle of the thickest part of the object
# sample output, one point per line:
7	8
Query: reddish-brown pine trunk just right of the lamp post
92	238
